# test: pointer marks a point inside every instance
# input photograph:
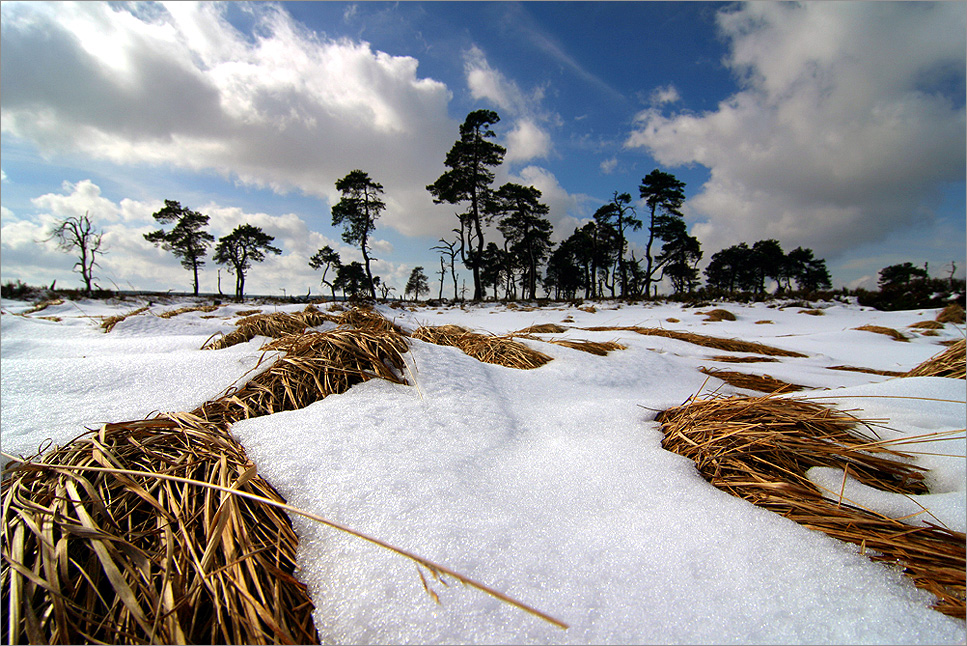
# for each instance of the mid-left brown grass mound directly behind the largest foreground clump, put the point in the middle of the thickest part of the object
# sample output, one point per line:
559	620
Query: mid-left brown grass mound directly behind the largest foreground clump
315	365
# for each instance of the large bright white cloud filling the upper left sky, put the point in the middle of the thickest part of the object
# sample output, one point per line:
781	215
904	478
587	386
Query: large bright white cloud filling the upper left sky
179	86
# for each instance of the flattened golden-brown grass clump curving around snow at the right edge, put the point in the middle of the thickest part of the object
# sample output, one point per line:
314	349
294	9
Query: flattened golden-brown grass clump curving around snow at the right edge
759	449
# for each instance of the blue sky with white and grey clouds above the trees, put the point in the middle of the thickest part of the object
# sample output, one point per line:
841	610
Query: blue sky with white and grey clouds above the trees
835	126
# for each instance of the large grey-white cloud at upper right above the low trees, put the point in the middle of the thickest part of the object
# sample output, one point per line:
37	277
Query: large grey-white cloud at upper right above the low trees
842	131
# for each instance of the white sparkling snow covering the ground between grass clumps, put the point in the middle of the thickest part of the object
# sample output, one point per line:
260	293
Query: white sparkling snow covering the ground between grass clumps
549	485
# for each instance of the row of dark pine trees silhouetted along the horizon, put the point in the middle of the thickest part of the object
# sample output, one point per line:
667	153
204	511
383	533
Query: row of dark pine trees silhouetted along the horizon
593	261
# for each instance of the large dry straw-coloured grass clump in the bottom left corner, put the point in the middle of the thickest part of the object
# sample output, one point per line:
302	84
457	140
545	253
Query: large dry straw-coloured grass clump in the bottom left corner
95	557
